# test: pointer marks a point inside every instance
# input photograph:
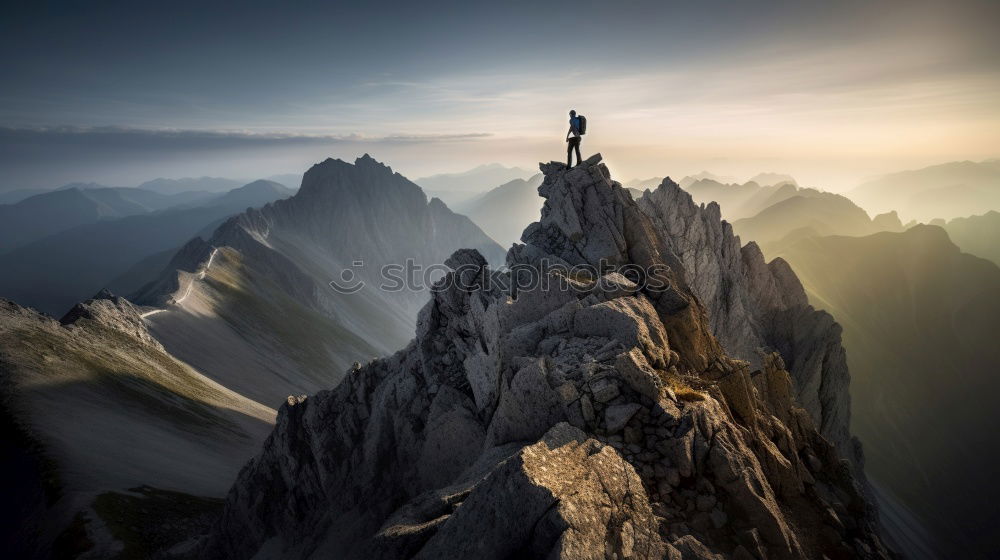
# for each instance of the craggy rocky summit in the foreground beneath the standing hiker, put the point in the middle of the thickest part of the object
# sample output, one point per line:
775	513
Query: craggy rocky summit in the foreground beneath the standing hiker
636	404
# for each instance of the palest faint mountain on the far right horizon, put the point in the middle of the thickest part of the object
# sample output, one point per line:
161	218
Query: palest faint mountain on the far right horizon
949	190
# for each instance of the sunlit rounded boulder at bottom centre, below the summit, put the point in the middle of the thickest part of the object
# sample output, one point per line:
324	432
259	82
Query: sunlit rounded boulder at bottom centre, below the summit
537	512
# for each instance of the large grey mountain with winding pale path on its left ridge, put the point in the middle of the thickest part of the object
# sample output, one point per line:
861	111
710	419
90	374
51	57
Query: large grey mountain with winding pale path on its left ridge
252	306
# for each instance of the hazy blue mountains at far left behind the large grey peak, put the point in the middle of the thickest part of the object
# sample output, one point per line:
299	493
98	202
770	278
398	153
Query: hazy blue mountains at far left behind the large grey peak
53	272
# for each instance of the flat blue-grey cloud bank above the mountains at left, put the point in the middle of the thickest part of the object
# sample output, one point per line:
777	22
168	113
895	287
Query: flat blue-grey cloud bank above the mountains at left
49	156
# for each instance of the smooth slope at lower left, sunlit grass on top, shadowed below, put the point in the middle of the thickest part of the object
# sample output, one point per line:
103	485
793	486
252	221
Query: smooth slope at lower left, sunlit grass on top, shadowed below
113	411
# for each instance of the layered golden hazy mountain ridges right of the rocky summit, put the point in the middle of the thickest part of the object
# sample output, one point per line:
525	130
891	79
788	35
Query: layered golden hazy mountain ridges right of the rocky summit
892	291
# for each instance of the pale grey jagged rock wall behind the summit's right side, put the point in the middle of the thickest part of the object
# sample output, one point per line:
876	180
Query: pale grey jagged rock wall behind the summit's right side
755	305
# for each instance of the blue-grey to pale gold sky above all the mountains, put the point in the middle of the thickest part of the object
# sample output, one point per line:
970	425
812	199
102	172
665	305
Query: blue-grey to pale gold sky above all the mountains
832	92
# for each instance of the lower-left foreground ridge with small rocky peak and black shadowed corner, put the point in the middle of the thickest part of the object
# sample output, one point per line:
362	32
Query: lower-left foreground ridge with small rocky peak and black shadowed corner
92	404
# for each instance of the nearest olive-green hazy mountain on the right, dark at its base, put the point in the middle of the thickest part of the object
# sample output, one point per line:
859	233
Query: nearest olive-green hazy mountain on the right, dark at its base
920	322
